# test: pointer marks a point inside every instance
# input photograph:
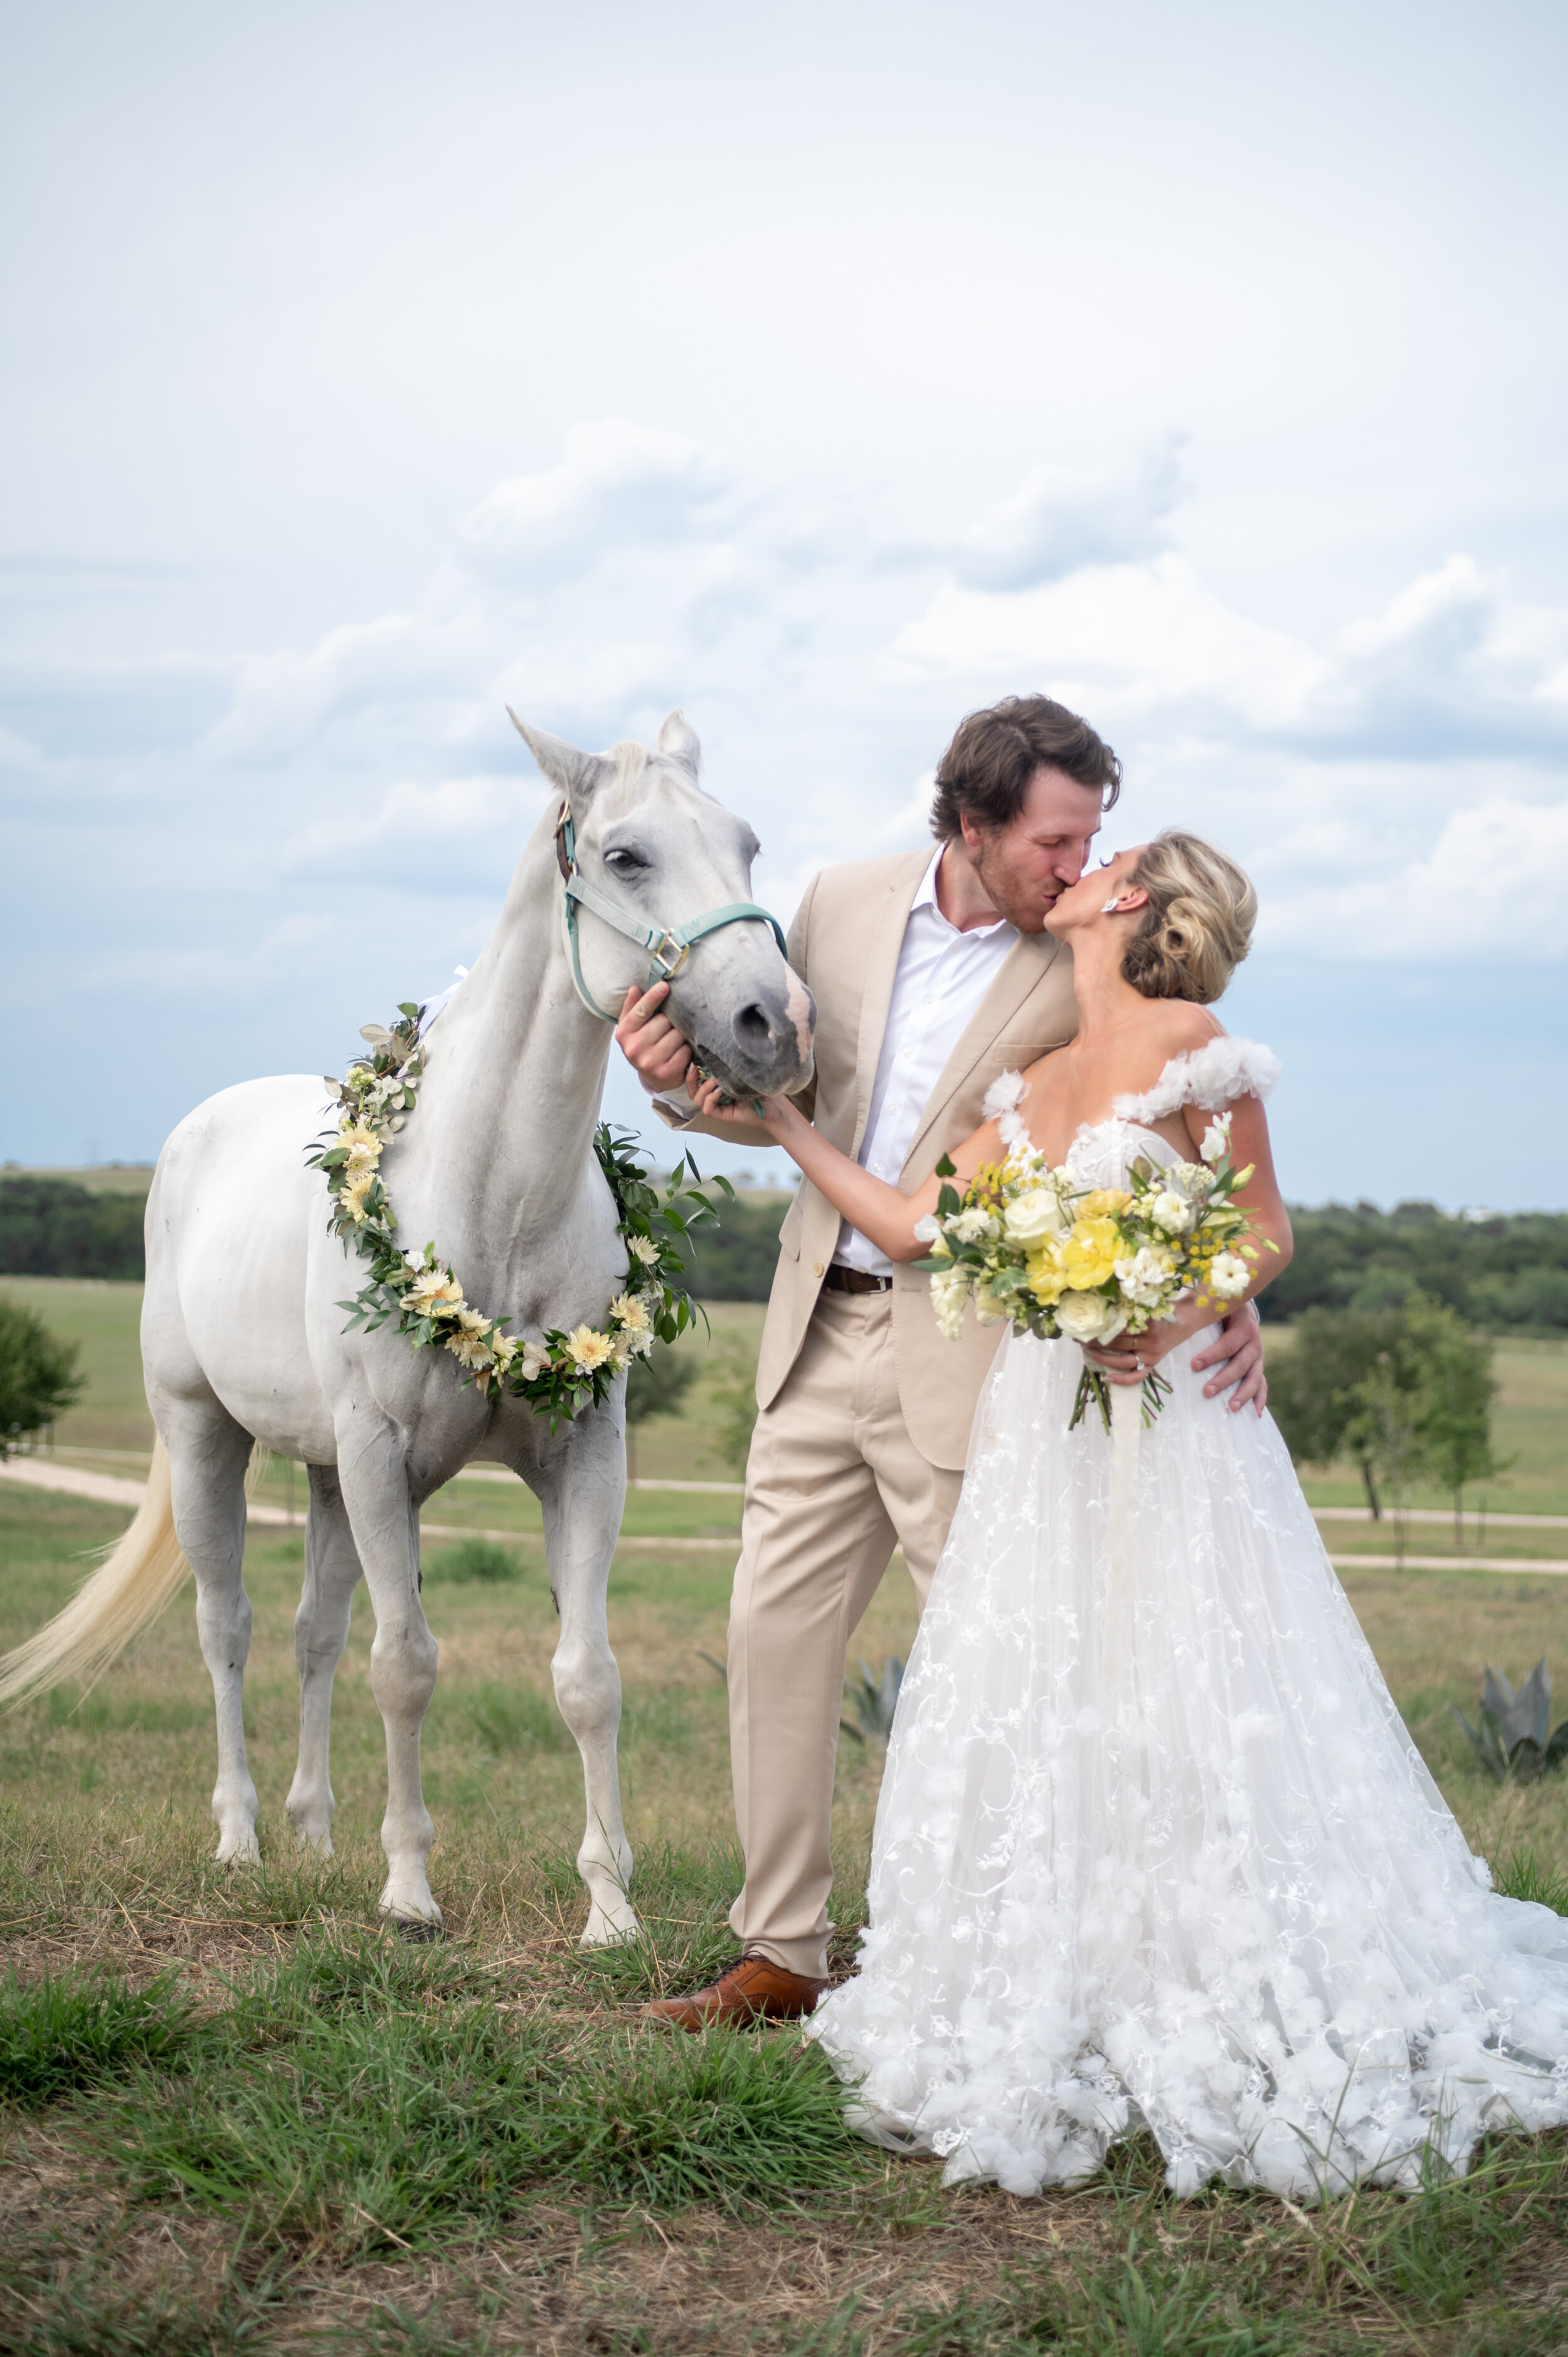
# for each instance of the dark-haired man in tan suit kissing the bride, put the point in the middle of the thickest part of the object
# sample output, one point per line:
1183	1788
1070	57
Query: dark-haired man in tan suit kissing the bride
933	975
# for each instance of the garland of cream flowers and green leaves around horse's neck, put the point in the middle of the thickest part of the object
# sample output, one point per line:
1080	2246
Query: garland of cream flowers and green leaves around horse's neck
562	1373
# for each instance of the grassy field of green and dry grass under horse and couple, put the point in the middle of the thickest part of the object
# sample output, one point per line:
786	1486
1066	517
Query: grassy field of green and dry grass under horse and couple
242	2120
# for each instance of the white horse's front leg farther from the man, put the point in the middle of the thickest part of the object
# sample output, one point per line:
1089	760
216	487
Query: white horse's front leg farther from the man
386	1526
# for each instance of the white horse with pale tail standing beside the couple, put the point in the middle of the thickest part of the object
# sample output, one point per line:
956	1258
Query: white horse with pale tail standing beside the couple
244	1331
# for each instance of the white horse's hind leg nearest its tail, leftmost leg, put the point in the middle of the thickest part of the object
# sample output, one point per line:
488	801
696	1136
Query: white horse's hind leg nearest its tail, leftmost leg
209	1458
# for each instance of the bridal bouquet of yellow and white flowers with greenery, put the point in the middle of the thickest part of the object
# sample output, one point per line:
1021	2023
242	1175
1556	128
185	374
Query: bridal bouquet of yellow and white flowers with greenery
1034	1248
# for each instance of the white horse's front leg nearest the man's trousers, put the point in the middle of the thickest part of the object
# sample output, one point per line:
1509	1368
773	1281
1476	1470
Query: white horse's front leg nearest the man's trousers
584	1491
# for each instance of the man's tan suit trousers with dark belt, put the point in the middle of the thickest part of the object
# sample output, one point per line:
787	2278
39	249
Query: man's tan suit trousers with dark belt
831	1486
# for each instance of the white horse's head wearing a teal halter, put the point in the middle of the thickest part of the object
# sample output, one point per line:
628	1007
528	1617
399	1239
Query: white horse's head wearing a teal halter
661	854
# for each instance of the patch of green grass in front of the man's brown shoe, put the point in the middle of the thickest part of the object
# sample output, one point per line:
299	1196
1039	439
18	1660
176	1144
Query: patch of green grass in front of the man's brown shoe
371	2111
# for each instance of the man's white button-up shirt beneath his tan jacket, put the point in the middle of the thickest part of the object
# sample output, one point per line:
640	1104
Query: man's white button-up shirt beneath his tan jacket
942	979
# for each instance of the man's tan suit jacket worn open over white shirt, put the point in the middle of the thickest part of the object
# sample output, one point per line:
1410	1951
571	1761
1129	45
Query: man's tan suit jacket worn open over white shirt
845	946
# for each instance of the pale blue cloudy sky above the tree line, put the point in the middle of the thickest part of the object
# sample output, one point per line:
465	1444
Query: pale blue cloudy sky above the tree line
824	374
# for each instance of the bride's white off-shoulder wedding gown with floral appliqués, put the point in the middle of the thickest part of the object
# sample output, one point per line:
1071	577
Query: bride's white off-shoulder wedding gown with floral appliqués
1173	1861
